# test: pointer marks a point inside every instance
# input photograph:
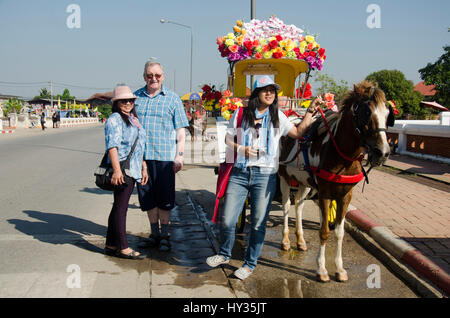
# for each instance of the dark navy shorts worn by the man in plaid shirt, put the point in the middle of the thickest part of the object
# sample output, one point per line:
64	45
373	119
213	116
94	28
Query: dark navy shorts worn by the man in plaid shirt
159	192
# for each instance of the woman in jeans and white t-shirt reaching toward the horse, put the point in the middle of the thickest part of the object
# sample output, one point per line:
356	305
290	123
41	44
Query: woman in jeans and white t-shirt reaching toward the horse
255	169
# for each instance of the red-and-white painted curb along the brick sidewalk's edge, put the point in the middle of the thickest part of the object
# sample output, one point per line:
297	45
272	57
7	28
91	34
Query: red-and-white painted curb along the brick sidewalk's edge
401	250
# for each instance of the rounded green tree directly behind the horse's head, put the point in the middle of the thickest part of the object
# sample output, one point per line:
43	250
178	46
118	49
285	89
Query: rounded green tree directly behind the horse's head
397	88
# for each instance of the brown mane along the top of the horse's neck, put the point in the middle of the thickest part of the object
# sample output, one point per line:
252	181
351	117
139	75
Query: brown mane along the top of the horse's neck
363	90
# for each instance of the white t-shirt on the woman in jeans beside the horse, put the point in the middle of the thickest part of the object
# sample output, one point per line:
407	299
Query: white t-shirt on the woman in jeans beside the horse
268	161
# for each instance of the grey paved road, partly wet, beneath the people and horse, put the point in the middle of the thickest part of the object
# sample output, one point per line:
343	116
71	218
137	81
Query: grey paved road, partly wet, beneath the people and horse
53	223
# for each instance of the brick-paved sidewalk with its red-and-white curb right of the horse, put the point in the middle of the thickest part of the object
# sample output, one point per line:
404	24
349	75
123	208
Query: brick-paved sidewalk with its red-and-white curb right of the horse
417	211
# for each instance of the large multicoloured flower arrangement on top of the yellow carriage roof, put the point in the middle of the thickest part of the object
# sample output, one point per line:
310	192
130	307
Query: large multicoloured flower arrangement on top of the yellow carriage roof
270	39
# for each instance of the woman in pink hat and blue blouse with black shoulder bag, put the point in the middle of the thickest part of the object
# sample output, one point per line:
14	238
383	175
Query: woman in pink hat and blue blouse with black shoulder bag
122	129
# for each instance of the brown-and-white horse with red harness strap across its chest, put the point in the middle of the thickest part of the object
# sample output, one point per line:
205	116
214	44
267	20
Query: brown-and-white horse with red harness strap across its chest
330	165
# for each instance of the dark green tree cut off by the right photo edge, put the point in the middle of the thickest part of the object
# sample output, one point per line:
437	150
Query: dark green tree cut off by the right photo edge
438	74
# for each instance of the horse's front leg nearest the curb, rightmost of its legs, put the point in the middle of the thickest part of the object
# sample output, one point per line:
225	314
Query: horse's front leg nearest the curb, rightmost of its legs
342	205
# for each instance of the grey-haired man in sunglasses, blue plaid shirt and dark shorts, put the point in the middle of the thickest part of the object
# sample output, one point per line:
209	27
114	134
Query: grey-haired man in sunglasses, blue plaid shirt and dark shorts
162	115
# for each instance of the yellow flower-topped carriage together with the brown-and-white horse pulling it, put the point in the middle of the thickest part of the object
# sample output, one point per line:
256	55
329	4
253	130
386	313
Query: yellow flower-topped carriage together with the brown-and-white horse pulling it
328	165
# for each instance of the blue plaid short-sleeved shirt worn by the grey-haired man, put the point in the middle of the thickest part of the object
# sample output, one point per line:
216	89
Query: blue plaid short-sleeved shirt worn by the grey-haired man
160	116
